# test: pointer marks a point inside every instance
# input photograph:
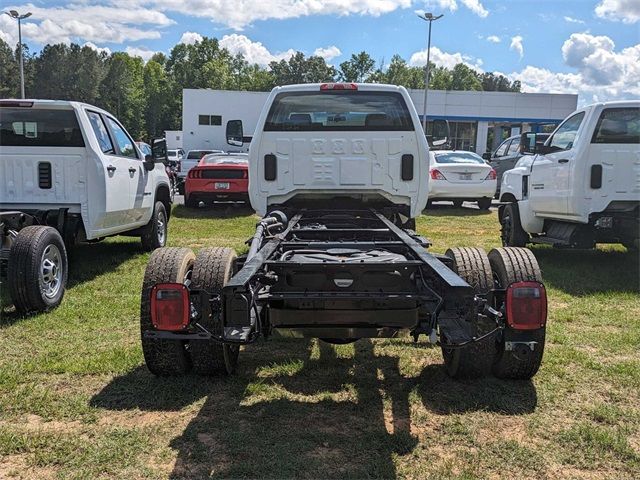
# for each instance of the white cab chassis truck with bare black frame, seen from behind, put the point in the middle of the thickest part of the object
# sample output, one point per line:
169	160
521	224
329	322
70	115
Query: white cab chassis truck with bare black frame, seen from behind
338	173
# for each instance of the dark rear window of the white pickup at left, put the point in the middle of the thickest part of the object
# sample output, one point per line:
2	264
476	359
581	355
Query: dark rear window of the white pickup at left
33	127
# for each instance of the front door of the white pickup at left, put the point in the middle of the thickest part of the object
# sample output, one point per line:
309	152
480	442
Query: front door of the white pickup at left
137	178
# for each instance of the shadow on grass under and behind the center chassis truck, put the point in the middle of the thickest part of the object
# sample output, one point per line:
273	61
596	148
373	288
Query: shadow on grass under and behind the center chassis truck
297	410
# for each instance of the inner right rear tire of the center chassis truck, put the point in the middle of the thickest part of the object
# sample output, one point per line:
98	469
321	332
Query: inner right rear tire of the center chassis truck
474	360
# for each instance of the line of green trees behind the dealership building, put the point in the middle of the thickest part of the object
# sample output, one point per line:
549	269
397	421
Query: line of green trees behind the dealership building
147	97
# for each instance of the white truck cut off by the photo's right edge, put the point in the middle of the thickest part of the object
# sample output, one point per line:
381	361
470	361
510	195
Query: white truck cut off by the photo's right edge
582	186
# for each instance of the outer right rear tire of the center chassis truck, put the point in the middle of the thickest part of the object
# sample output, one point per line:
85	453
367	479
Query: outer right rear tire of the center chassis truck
511	265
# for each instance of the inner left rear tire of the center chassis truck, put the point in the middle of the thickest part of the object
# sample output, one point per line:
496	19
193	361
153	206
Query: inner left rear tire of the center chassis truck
213	268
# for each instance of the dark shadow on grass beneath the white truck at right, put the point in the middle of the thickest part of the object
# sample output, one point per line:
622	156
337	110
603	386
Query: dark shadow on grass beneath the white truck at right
583	272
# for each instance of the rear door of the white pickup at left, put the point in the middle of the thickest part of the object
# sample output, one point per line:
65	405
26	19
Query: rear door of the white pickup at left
116	200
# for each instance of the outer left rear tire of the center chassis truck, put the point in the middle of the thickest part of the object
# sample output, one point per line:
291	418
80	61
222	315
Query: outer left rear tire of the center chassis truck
164	357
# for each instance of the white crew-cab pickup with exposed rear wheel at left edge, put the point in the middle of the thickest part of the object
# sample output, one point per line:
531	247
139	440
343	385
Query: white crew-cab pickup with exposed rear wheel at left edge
69	172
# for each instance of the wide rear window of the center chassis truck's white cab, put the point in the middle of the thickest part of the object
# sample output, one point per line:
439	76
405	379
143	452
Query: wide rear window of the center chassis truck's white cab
339	110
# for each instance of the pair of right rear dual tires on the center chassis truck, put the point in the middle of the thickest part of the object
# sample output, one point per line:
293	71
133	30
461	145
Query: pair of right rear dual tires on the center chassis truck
483	272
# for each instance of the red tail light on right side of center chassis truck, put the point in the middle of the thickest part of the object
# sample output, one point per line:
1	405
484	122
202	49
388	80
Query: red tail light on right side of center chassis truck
526	304
